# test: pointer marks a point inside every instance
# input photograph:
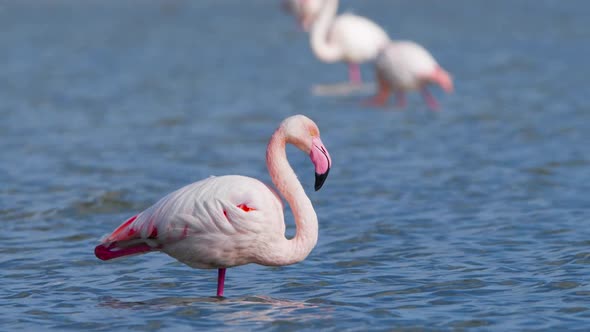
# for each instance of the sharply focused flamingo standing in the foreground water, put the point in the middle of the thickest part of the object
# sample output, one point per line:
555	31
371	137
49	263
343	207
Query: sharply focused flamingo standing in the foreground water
231	220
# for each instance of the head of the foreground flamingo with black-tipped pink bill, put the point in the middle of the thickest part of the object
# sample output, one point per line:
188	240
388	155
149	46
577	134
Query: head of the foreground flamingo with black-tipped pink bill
304	134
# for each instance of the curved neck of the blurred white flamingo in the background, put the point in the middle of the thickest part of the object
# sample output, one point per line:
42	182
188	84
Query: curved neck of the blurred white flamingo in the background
319	33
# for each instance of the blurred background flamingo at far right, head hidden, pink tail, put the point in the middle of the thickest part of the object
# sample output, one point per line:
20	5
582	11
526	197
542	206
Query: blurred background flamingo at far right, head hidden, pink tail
404	66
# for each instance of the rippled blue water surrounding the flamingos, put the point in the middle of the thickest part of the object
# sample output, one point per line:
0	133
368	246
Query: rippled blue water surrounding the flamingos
476	217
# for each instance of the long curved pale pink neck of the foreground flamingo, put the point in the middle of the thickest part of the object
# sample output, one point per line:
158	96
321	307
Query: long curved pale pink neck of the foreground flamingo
306	221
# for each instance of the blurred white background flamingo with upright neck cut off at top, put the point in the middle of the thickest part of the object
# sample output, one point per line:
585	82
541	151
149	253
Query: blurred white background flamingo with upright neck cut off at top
347	37
